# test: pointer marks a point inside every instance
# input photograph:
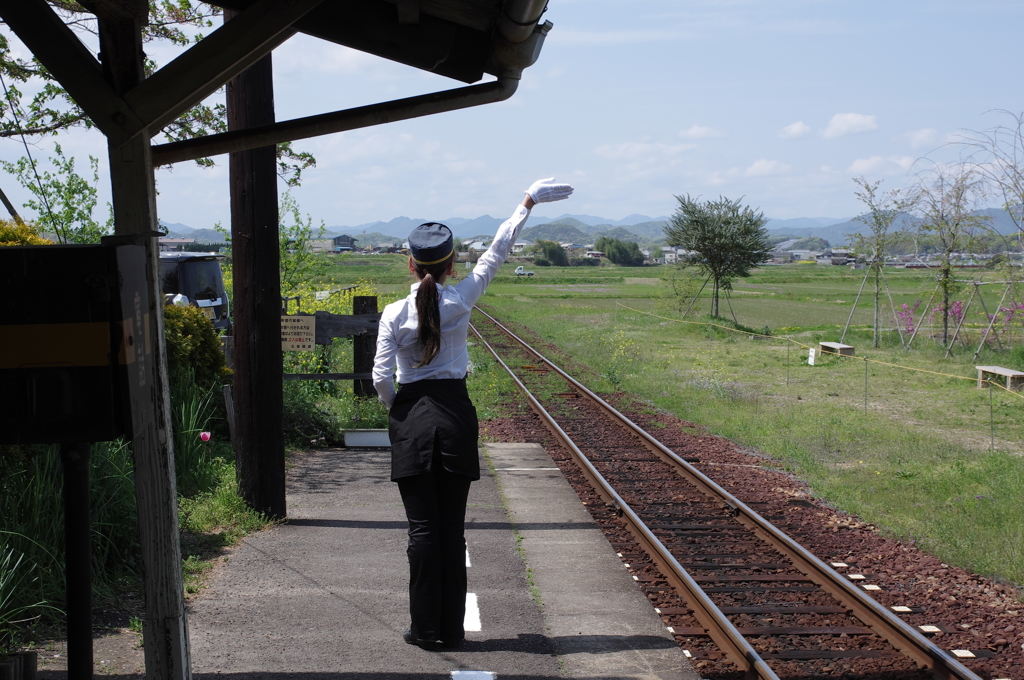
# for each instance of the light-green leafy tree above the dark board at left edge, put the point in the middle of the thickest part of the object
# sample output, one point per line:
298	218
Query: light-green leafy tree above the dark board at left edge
63	199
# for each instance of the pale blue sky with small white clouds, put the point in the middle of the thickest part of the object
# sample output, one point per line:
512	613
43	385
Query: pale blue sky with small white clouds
635	101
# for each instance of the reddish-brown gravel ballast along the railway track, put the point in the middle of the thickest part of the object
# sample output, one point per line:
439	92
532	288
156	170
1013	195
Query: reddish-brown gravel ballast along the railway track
977	614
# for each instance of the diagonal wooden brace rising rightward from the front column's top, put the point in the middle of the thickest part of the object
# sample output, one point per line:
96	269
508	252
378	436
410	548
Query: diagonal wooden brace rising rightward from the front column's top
216	60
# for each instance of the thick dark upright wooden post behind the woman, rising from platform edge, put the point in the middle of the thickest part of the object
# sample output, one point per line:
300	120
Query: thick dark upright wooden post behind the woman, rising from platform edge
260	438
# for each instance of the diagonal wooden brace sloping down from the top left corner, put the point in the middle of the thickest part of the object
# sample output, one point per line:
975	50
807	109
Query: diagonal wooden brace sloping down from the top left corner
75	68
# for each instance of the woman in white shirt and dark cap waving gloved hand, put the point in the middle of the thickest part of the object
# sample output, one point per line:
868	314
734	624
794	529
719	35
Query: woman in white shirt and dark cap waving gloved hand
433	422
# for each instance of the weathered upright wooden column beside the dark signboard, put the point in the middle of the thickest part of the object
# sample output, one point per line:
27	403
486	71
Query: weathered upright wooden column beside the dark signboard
135	197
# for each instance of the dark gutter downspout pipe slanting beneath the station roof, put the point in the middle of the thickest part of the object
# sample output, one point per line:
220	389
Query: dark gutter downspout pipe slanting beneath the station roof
507	63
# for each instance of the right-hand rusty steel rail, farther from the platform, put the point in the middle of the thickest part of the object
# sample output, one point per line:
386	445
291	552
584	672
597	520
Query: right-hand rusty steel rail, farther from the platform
878	618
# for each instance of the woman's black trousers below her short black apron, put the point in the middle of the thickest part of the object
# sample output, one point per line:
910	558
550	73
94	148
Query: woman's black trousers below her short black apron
436	506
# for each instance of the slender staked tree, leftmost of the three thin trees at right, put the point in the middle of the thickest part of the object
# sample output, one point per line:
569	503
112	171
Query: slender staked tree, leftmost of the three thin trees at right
884	208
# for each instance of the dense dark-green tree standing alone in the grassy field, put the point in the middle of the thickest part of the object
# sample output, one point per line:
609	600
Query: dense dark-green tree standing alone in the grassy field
730	239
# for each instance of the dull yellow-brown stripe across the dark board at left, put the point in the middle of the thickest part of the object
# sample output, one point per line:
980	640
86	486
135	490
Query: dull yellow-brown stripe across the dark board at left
55	345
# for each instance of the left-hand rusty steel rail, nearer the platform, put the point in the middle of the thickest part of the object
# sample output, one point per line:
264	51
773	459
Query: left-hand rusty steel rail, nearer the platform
719	628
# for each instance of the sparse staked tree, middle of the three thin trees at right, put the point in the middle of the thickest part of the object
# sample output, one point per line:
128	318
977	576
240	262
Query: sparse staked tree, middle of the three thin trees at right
947	199
